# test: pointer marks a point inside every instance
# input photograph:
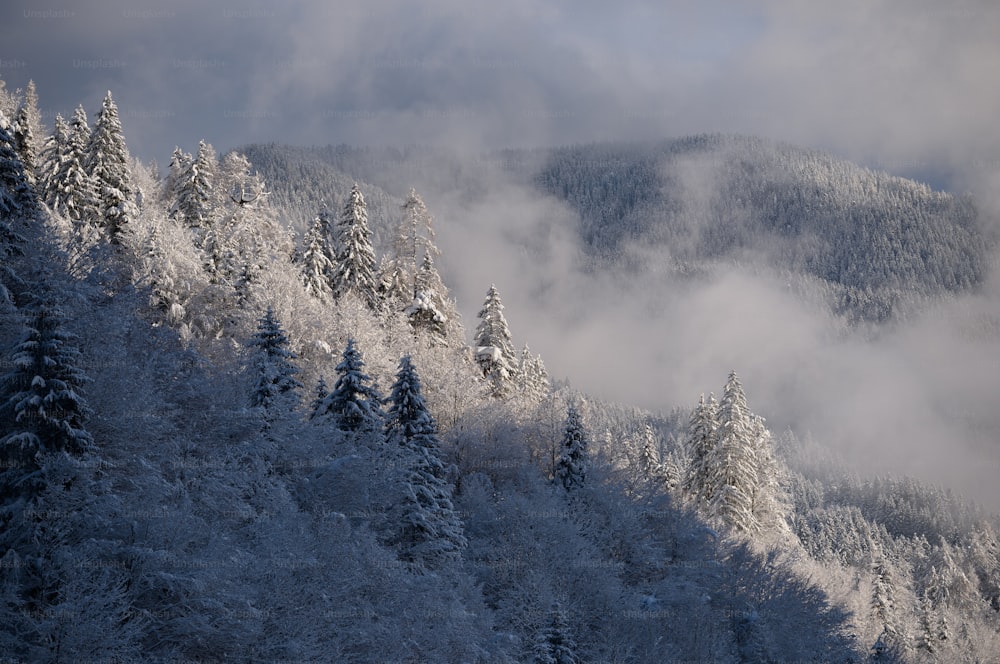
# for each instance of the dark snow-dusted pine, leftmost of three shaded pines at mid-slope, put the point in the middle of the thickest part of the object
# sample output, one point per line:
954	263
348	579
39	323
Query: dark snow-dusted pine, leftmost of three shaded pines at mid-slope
275	390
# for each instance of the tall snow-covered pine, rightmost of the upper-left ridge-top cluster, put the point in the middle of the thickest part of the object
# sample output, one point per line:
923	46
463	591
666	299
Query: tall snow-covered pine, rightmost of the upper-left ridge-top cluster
108	163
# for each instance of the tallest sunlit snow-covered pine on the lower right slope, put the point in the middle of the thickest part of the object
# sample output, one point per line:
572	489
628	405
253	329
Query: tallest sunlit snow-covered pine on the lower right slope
736	480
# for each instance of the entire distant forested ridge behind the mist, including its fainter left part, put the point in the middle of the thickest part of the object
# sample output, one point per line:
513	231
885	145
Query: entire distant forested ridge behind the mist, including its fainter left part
875	241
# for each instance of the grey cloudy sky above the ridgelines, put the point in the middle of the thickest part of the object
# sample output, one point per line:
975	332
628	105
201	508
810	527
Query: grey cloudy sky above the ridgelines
902	84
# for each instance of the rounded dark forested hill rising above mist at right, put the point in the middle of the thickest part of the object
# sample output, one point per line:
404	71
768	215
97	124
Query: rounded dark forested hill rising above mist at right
710	197
